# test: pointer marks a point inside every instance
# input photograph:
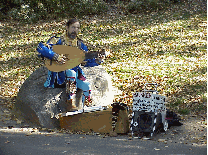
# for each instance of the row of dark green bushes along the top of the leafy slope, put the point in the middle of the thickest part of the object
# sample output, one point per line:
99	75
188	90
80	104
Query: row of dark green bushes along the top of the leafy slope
34	10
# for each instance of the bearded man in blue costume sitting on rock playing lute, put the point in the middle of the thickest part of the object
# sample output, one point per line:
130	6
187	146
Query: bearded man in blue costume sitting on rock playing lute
74	76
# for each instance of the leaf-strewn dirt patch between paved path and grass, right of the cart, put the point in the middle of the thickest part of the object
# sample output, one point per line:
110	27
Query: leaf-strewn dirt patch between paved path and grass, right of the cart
192	132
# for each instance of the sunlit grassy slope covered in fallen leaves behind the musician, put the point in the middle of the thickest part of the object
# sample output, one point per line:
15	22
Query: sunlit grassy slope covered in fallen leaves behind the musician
166	47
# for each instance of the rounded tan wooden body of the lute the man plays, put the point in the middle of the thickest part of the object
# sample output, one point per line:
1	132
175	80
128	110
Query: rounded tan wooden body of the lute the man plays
73	55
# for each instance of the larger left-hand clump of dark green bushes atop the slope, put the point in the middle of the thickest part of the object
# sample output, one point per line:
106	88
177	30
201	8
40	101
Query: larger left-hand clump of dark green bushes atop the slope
34	10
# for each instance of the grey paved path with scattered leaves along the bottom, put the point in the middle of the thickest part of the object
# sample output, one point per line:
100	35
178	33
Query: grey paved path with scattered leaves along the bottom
33	142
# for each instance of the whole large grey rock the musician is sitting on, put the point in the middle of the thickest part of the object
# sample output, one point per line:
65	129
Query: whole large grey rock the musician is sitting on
40	106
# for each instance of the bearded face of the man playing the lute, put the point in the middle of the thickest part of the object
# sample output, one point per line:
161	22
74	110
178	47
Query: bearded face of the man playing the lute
73	30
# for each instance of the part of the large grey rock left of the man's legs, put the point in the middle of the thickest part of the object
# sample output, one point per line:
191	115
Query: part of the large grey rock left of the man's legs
38	105
